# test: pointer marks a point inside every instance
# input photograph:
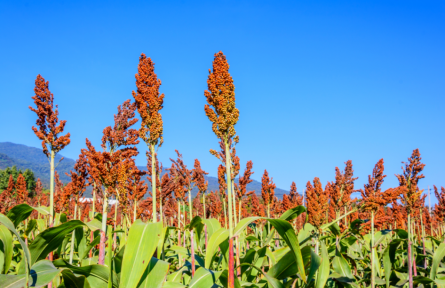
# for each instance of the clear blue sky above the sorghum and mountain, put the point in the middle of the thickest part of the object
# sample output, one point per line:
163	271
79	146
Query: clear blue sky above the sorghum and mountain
317	82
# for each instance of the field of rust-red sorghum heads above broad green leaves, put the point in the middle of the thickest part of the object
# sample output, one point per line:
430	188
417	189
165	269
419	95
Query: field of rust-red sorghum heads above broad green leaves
157	235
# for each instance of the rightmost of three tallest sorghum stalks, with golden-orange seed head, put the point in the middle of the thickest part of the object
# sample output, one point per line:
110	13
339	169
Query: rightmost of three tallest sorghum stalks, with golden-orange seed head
223	114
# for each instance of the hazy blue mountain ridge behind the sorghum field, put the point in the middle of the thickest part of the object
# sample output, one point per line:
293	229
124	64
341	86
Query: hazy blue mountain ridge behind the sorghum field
25	157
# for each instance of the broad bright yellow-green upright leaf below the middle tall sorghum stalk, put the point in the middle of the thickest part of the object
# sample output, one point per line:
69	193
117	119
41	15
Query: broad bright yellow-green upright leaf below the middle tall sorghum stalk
142	241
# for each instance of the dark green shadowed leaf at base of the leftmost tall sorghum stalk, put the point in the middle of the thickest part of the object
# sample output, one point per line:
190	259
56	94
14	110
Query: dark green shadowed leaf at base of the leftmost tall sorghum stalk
50	239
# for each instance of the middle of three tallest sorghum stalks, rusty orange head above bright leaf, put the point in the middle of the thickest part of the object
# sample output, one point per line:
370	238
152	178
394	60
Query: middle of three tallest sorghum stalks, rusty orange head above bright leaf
149	102
